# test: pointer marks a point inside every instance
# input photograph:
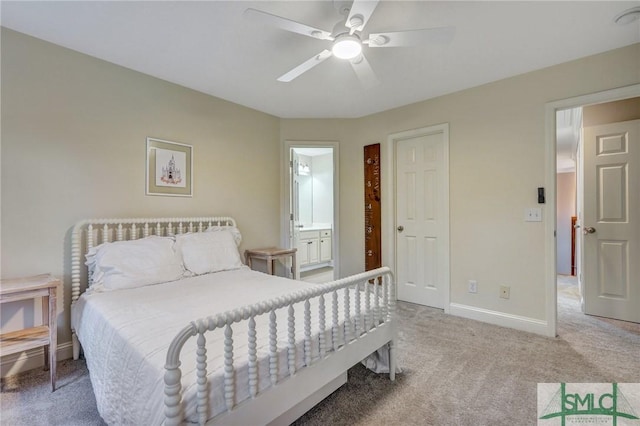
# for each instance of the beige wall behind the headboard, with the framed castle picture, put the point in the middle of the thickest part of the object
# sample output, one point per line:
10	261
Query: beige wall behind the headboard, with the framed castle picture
74	134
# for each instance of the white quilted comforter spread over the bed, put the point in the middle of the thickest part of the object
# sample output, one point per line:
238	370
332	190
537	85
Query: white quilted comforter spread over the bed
125	335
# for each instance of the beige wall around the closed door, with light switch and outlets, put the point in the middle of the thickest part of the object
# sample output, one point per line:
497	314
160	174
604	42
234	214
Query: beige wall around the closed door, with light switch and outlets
497	160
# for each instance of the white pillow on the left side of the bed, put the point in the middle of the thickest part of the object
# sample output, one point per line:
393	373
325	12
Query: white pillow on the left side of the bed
135	263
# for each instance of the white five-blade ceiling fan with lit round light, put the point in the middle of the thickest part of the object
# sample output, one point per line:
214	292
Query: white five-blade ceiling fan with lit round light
347	38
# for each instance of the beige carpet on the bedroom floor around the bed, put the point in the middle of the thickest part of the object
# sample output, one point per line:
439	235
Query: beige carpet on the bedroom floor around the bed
456	372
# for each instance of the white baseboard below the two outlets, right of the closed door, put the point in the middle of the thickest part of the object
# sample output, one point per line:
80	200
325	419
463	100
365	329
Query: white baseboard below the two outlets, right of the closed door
517	322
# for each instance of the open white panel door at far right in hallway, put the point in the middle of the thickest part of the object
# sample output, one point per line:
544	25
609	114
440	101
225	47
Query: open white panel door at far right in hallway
611	223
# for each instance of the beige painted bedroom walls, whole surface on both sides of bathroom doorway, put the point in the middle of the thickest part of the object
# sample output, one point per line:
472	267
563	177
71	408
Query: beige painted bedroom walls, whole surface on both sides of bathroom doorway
73	147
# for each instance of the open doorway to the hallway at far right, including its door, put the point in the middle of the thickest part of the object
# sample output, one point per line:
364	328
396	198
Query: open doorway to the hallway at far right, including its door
584	275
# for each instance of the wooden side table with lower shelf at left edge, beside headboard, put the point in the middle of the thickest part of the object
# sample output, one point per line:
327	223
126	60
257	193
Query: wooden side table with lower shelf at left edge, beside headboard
45	335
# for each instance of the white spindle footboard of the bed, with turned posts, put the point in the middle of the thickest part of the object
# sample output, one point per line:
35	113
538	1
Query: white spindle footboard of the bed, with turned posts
347	331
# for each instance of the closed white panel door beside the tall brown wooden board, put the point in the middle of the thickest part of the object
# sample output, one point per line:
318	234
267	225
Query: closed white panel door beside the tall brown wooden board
422	217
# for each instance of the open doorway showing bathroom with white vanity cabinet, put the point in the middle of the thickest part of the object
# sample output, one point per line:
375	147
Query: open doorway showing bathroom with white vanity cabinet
312	209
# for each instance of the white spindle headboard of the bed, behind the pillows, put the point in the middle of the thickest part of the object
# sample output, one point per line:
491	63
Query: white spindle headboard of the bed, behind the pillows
89	233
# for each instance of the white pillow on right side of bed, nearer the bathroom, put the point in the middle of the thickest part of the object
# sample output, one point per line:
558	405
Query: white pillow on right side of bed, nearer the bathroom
204	252
